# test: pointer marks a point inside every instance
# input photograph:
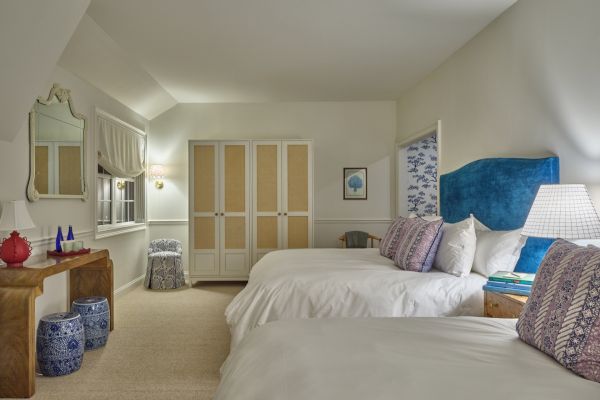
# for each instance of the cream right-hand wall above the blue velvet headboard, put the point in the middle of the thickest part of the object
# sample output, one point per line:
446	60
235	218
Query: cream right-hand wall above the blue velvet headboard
527	85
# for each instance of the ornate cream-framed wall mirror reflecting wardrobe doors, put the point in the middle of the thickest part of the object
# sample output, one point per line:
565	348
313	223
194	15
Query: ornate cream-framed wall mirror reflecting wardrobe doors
57	137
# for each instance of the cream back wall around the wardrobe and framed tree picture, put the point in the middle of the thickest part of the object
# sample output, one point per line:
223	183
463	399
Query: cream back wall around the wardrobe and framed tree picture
345	134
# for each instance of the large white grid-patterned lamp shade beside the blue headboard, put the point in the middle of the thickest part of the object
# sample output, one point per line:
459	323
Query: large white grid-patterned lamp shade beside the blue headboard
562	211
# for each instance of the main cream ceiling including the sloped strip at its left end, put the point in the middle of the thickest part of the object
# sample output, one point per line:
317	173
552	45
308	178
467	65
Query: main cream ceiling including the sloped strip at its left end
277	50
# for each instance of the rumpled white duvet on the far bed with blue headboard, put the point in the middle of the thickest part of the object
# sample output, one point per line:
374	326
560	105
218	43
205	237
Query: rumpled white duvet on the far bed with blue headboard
330	283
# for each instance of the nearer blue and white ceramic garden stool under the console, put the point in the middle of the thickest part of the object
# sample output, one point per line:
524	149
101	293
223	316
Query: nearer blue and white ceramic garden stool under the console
59	343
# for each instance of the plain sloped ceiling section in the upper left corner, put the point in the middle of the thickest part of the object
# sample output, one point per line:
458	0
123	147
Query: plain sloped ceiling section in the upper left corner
34	34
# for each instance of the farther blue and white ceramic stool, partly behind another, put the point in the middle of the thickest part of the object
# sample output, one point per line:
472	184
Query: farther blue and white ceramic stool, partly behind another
95	315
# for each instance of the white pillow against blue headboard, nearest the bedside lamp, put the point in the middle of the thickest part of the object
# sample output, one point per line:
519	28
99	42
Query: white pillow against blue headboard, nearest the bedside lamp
497	251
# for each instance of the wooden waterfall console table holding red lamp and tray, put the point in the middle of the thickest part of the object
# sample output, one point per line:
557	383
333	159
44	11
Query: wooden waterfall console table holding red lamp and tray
89	275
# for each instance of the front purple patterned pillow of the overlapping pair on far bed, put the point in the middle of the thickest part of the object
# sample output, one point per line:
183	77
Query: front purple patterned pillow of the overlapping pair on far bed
417	244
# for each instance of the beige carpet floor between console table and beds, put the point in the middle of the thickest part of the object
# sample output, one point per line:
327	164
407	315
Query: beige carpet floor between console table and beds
166	345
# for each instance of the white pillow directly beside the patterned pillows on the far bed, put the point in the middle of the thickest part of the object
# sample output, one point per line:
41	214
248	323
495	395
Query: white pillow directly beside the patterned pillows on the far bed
457	248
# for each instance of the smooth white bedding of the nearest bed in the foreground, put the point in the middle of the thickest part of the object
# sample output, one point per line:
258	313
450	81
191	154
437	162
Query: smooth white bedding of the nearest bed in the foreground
395	358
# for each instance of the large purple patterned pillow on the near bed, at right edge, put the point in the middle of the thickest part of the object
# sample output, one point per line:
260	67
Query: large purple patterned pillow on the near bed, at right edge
561	317
